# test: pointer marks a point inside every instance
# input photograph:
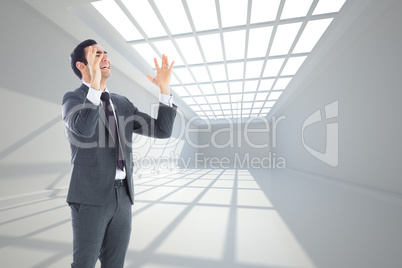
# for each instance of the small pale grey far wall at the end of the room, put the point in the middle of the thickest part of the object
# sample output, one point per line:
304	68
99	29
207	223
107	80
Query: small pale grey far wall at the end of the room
234	144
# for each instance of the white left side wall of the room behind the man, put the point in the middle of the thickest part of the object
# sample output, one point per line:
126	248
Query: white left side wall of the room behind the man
34	75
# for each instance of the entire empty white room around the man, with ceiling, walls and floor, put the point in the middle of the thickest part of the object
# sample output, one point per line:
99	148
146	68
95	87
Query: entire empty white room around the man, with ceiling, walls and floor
285	150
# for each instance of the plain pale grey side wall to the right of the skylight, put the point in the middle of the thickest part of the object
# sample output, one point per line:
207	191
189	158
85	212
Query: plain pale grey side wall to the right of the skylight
362	71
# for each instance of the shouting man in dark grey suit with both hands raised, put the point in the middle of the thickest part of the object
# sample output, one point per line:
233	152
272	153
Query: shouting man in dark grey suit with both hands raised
99	127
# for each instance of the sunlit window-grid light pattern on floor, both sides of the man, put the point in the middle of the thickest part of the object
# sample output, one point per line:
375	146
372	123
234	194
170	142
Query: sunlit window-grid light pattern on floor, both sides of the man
191	218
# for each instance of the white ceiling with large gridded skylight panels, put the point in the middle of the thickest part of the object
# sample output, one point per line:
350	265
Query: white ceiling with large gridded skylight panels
233	58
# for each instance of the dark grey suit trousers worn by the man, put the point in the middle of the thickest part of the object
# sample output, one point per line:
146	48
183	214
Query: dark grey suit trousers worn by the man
102	231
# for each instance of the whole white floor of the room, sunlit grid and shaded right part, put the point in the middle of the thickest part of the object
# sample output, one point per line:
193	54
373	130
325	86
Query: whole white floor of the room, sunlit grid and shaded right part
219	218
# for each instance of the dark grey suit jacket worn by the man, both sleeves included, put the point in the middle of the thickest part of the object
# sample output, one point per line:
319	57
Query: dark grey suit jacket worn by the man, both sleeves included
93	154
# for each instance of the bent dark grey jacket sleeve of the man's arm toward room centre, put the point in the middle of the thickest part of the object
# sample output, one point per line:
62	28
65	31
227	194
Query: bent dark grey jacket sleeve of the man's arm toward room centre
161	127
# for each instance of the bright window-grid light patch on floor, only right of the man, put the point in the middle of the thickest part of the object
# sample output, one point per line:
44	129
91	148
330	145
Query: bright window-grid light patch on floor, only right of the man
209	218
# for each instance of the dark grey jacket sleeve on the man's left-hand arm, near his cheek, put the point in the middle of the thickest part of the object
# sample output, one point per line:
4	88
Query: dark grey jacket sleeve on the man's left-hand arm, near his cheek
80	116
